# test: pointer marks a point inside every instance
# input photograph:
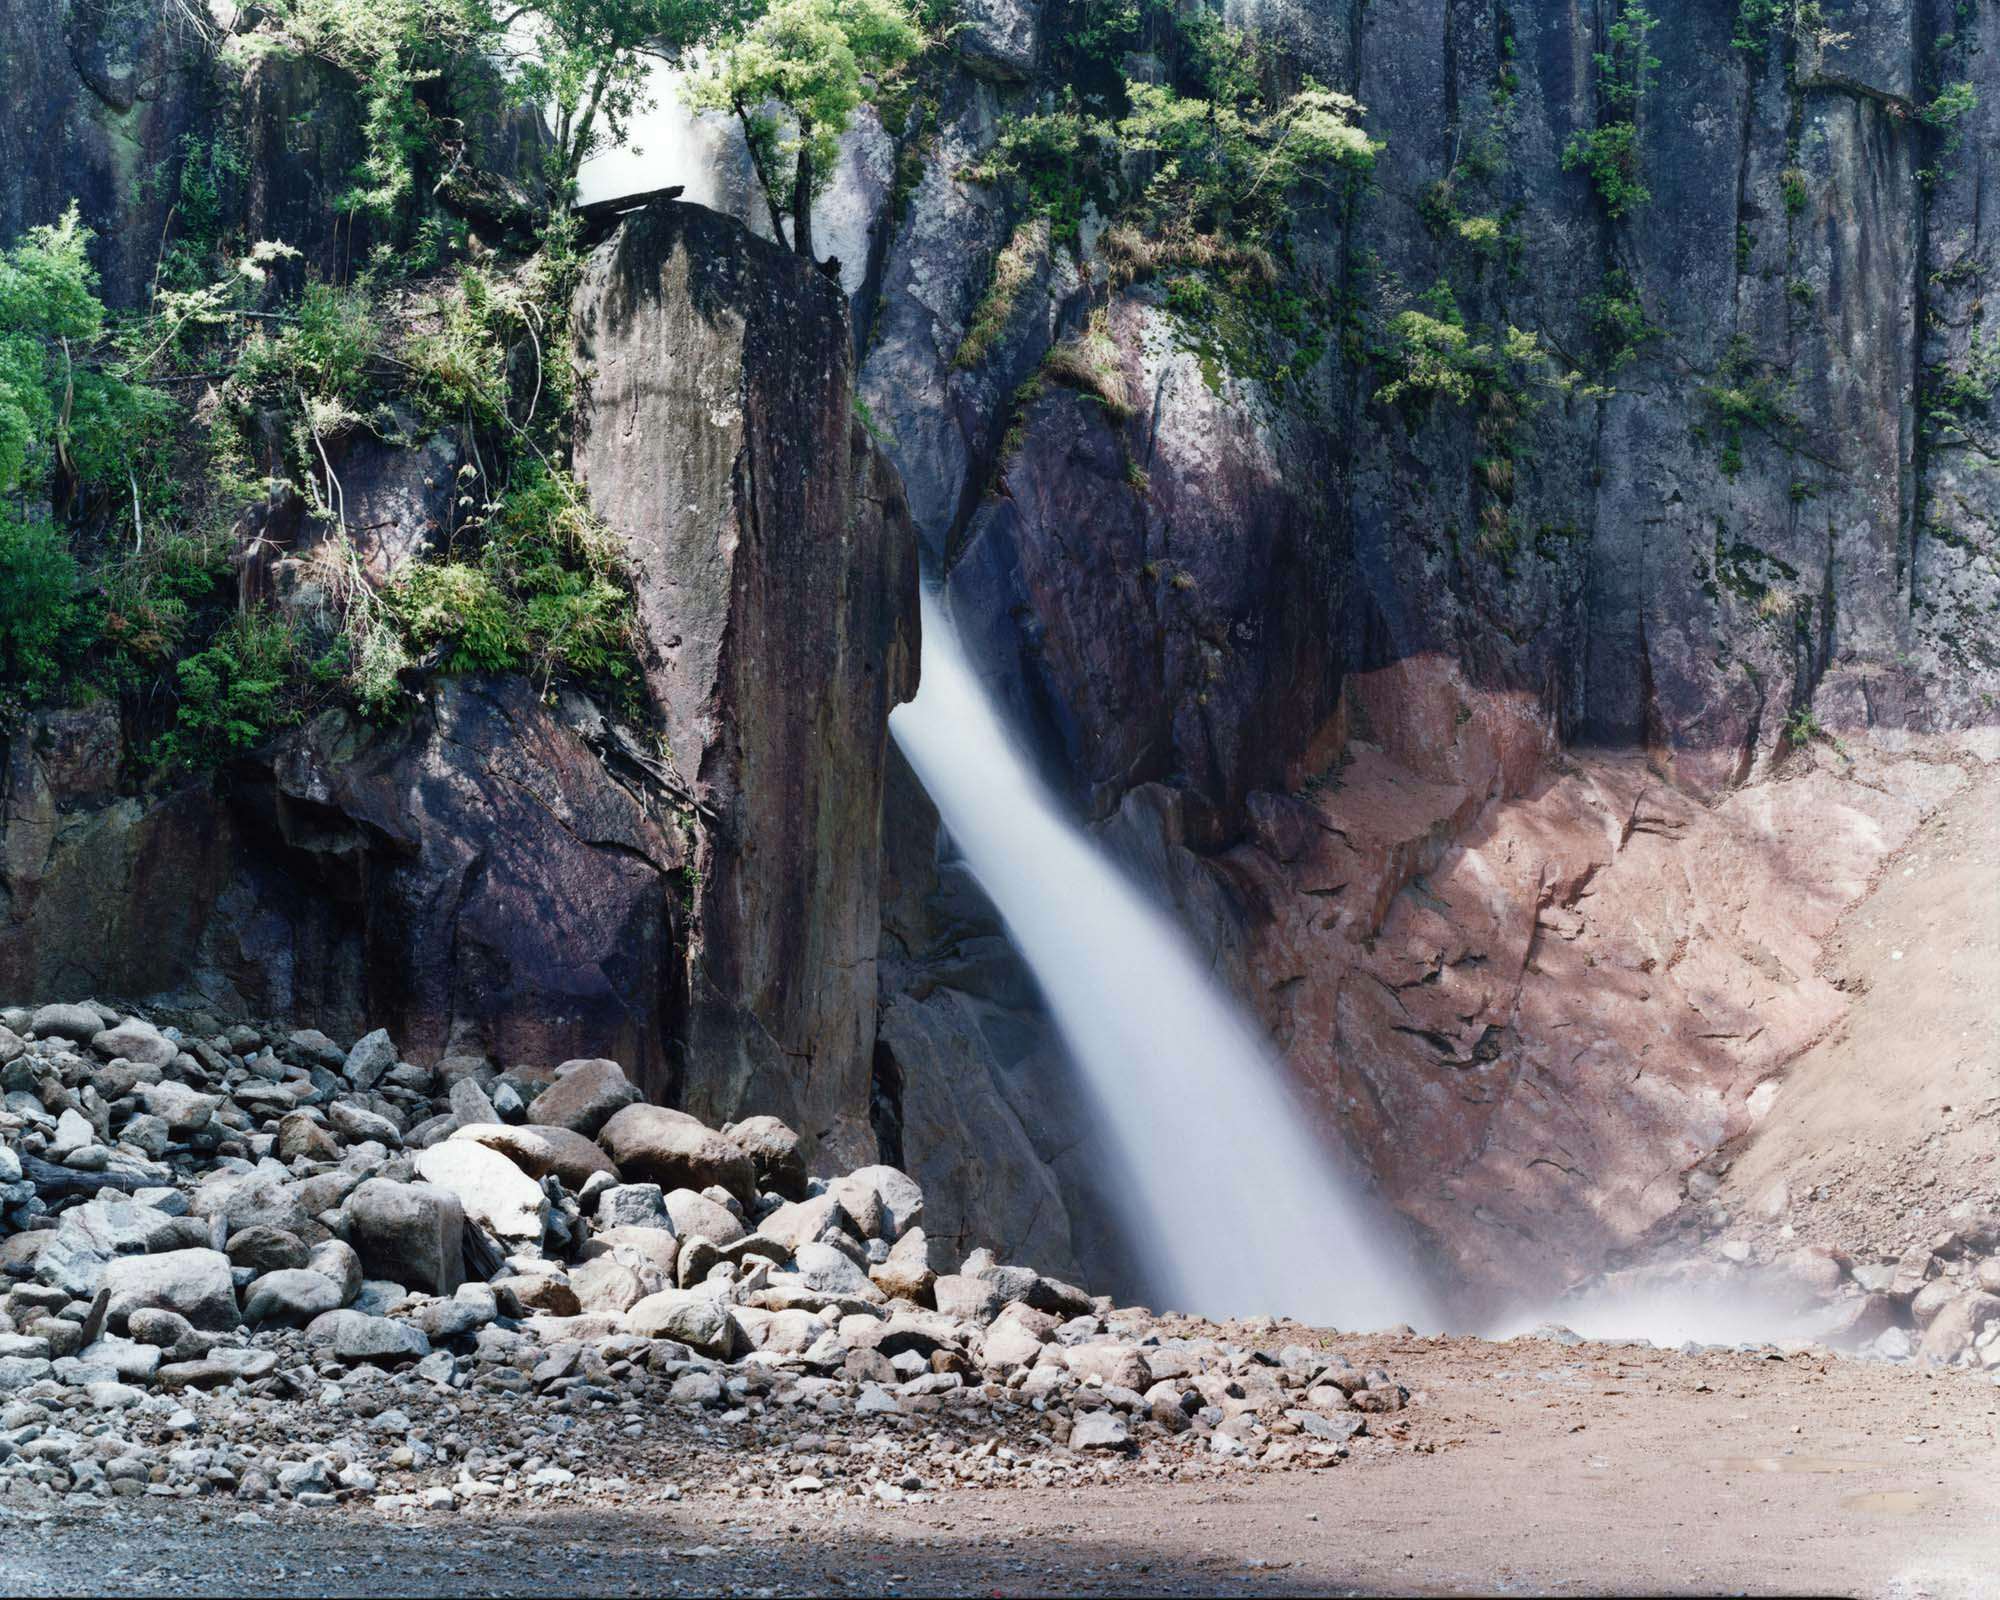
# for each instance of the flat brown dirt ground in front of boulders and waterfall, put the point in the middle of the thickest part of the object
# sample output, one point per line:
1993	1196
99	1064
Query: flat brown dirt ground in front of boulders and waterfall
1527	1469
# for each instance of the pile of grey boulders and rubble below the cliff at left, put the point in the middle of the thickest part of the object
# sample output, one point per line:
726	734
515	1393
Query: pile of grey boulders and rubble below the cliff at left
253	1263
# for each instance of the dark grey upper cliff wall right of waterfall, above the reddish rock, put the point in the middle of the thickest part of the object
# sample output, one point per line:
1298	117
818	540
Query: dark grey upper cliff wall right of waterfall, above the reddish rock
1199	611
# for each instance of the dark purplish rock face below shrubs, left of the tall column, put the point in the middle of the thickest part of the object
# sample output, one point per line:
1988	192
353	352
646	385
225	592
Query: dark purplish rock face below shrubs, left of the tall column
483	875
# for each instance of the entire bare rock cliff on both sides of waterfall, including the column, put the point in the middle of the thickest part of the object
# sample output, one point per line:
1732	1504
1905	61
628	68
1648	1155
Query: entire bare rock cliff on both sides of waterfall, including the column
1481	741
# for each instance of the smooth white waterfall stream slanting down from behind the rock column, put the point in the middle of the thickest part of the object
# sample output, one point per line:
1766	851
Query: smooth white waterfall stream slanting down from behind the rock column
1235	1209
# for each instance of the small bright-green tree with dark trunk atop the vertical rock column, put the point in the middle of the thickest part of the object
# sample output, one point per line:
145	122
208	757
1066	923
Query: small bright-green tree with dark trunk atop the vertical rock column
793	79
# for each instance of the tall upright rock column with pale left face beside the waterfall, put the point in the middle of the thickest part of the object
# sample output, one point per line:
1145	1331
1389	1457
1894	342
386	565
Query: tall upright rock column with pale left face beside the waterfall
777	591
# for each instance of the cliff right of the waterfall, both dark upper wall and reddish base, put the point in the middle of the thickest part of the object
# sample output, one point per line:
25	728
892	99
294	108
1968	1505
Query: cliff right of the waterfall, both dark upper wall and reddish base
1311	659
